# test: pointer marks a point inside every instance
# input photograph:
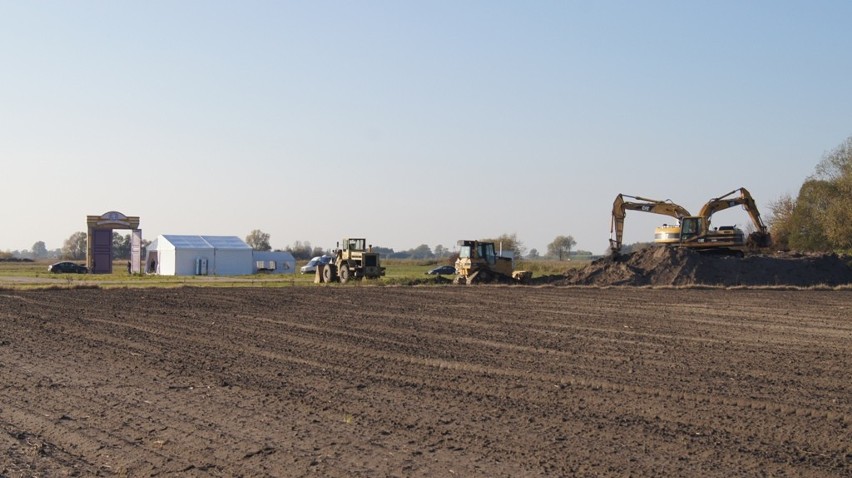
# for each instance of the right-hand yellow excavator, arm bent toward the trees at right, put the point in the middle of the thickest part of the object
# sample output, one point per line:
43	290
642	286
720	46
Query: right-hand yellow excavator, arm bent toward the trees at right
696	233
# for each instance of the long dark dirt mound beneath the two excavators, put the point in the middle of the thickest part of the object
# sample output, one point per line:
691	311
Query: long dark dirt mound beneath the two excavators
671	266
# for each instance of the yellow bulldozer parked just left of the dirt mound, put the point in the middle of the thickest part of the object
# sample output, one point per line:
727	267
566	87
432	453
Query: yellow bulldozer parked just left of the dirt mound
480	262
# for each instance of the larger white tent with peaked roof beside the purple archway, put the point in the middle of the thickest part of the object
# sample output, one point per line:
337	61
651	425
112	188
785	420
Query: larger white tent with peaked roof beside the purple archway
199	255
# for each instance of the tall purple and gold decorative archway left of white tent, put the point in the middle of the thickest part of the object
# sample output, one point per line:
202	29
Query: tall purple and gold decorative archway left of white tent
99	241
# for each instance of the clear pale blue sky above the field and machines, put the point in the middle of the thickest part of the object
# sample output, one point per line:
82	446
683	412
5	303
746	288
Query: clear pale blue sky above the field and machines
409	122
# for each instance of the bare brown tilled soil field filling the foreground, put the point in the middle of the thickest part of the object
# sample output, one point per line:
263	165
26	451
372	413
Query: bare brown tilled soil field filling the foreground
425	381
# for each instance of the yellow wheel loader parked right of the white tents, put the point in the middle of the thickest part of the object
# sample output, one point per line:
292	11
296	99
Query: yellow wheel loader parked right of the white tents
355	259
